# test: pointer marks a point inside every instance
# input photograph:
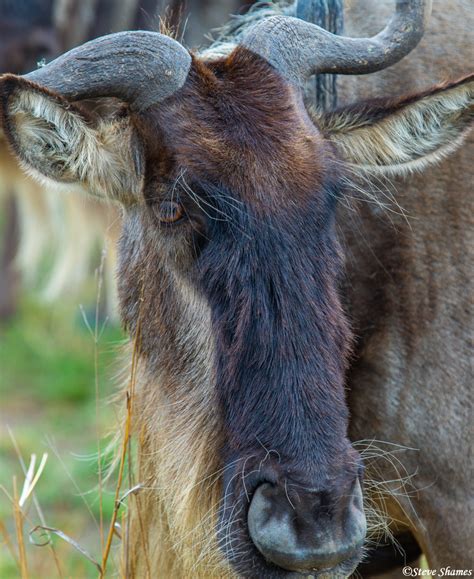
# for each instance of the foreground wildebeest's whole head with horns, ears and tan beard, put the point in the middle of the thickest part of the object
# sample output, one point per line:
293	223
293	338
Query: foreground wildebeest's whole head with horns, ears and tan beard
229	273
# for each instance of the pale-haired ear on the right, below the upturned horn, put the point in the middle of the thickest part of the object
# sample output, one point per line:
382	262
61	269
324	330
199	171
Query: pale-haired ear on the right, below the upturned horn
394	137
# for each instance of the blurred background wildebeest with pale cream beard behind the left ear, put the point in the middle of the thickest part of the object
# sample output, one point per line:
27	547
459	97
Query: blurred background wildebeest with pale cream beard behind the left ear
45	223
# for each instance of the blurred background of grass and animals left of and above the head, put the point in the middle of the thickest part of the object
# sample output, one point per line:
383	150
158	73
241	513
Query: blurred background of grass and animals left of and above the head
60	336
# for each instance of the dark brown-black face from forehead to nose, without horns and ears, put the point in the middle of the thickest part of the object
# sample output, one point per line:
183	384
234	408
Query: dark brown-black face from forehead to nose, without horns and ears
255	186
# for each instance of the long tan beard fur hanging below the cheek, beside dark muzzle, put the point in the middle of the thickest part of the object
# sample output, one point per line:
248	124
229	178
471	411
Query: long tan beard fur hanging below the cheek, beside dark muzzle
167	536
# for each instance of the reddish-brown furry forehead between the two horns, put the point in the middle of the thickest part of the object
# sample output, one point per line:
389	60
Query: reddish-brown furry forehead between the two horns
239	124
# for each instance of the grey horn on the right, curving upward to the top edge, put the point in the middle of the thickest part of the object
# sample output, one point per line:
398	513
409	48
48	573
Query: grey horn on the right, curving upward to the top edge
299	49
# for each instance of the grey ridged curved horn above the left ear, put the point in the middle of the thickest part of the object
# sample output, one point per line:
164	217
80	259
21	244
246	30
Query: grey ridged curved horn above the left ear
141	68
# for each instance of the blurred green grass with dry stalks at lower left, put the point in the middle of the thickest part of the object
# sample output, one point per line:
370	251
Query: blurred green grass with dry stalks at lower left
47	393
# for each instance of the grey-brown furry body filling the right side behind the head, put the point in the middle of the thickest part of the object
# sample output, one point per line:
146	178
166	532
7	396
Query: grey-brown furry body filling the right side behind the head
410	291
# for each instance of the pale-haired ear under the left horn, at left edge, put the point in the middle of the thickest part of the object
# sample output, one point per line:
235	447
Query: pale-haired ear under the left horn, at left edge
59	143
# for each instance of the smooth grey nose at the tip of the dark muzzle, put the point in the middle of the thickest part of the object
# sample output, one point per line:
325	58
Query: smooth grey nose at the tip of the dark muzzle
295	538
